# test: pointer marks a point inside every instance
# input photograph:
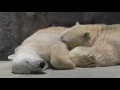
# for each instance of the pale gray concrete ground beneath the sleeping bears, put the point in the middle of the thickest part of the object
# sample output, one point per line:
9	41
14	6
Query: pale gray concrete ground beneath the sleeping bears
99	72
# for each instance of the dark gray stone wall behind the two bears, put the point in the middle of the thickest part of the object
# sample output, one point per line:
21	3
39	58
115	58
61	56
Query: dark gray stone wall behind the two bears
16	26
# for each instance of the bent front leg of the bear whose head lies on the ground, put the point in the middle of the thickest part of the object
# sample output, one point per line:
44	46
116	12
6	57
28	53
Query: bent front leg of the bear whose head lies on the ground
60	57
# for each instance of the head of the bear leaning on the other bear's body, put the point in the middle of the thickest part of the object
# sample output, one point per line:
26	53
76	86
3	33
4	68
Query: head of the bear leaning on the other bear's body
75	36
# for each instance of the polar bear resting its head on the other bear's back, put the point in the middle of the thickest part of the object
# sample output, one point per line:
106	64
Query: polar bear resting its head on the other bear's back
102	44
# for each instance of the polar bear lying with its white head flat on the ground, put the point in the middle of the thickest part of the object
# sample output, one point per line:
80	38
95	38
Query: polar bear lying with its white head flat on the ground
43	49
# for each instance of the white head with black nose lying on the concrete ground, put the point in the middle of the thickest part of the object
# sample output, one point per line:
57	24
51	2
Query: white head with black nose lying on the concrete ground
27	62
